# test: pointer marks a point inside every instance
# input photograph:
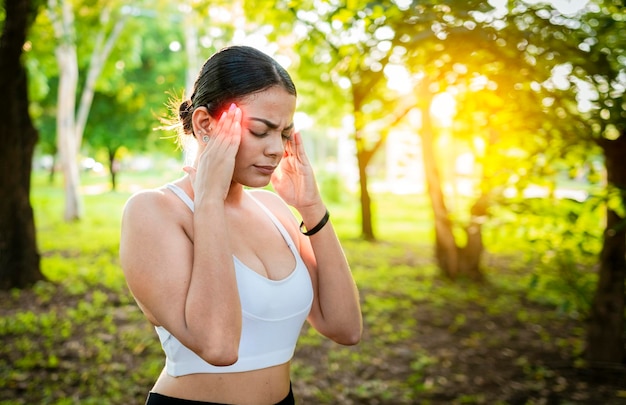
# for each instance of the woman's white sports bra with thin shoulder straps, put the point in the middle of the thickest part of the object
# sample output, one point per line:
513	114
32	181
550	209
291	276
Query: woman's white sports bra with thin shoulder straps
273	312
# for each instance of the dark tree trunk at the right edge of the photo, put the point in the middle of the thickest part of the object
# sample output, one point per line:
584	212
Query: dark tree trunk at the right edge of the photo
605	334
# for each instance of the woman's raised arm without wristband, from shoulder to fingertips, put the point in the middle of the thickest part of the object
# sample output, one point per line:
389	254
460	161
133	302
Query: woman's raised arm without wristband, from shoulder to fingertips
187	283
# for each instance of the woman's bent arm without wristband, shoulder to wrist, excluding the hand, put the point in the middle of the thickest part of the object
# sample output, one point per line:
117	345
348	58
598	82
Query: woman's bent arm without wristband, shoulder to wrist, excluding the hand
187	287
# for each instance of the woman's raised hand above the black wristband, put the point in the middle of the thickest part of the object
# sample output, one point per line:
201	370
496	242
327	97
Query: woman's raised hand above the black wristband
294	180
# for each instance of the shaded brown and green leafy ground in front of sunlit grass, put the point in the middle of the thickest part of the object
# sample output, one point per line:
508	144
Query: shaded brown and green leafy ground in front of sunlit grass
426	341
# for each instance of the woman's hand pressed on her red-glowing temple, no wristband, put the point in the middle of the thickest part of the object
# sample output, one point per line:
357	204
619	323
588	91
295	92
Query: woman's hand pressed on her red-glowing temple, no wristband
213	173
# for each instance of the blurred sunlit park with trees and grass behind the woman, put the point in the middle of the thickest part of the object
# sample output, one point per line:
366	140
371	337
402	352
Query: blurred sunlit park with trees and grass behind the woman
472	153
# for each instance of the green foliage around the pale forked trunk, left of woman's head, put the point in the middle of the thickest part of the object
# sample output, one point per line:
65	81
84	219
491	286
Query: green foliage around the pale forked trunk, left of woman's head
146	68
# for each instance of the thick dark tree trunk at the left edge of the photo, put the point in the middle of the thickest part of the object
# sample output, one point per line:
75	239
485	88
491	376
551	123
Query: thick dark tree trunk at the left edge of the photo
19	257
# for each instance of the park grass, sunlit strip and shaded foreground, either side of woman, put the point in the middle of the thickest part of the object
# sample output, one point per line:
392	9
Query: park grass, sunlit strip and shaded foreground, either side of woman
80	339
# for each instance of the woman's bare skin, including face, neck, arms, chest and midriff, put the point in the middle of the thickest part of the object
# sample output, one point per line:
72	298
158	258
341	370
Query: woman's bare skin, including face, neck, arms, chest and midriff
167	251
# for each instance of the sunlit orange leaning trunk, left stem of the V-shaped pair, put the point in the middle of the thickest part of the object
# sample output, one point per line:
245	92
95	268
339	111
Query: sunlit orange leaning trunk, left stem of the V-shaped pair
446	250
